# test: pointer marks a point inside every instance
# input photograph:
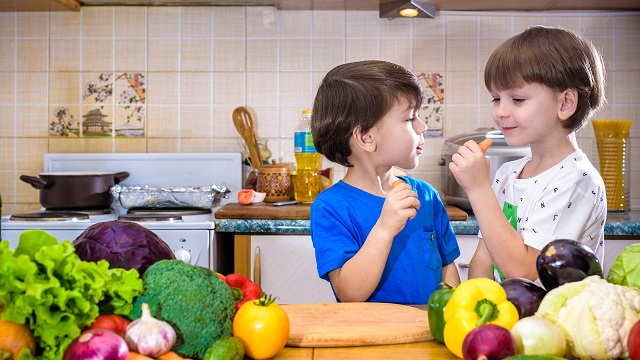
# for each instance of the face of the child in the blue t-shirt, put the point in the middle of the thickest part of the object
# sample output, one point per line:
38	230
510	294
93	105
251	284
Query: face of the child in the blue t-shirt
399	136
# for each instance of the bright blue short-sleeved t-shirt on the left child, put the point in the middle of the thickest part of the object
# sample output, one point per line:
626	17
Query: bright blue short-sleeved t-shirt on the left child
342	217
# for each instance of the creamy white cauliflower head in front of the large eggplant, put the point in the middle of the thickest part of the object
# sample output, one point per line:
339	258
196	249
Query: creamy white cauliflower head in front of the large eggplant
594	315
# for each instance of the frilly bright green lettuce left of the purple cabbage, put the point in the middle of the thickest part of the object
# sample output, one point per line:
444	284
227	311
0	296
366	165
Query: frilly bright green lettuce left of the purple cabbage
44	284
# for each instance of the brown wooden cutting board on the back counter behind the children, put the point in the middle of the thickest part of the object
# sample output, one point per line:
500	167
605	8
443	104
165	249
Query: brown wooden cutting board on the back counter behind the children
266	211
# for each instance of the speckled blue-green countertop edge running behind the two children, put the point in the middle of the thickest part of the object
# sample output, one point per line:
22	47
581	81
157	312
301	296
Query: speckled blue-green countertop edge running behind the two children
618	224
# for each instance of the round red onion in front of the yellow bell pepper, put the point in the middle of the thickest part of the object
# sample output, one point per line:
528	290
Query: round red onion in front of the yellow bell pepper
488	342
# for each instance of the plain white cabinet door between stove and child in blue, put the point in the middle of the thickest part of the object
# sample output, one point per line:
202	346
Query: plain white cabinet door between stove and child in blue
287	269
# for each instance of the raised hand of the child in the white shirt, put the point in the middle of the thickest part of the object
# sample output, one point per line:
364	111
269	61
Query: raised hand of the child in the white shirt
470	167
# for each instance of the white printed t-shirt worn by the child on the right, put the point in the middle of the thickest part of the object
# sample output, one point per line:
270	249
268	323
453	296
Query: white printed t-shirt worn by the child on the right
567	201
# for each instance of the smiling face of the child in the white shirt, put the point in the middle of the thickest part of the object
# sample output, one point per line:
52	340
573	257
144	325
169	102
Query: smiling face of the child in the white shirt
528	114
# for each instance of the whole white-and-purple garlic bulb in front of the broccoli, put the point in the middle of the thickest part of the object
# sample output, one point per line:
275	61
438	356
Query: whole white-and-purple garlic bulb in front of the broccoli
149	336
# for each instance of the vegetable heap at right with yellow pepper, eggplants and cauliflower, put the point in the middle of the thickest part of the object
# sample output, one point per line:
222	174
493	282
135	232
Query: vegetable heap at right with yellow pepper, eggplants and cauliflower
580	316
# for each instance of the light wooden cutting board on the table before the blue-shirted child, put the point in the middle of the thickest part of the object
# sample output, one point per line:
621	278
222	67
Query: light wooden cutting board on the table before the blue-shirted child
355	324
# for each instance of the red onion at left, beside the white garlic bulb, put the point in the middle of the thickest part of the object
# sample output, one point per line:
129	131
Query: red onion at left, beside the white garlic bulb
97	344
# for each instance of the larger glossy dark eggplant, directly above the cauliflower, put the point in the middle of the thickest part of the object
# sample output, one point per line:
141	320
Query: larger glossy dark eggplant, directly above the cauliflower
562	261
